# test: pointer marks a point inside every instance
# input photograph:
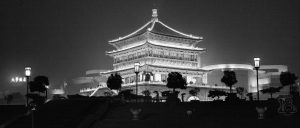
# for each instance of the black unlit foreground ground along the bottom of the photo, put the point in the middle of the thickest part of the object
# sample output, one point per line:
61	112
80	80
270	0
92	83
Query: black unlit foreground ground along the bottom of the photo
105	113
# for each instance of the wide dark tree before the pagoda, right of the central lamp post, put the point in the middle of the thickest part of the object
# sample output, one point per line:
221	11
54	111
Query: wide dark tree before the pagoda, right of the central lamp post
175	80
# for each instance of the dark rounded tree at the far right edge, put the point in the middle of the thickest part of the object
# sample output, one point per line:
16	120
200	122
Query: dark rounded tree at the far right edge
288	79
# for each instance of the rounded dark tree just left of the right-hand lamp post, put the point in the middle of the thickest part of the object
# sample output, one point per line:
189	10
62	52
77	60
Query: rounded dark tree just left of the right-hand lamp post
229	79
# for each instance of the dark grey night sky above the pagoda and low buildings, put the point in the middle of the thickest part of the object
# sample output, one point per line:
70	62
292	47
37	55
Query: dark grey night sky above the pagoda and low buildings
62	39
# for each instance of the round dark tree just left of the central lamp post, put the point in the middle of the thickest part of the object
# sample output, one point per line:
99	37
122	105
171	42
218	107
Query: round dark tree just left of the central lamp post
114	81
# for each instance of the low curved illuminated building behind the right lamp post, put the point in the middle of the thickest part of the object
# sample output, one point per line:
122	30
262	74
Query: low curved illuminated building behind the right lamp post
268	76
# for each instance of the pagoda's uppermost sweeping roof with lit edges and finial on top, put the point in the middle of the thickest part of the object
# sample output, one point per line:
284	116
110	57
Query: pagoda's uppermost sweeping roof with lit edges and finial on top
157	27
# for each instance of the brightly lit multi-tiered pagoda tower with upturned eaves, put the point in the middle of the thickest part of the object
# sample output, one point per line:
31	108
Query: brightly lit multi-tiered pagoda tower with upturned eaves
159	49
